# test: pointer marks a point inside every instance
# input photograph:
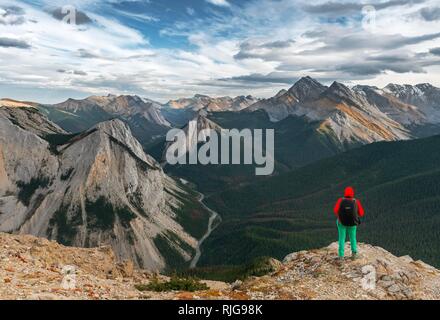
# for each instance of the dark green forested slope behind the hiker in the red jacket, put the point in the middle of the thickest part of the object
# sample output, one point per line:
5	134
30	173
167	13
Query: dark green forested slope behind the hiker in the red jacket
396	181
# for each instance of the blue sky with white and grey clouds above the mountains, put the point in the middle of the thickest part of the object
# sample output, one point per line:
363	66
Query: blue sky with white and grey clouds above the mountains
164	49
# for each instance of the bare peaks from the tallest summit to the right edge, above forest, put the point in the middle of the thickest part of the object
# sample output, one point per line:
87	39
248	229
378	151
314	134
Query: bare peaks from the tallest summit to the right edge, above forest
359	115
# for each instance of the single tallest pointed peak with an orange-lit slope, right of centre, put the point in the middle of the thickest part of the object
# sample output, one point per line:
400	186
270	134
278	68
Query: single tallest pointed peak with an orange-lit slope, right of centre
344	115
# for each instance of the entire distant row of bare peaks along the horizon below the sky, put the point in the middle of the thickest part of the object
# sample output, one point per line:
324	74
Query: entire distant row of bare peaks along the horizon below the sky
345	116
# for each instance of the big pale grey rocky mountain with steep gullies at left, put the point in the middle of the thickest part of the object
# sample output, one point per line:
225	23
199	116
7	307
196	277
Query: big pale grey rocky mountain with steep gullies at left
93	188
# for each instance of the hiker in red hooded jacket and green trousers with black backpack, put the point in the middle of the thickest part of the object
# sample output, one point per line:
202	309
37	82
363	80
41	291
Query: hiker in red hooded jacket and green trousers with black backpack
348	210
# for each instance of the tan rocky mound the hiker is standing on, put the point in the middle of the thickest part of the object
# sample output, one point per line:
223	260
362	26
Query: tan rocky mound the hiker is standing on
375	274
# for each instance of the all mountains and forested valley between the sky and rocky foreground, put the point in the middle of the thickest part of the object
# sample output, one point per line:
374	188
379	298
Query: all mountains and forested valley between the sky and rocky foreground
90	172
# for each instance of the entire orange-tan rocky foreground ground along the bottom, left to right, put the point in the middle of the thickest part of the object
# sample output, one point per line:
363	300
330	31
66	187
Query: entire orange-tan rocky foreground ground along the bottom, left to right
37	268
